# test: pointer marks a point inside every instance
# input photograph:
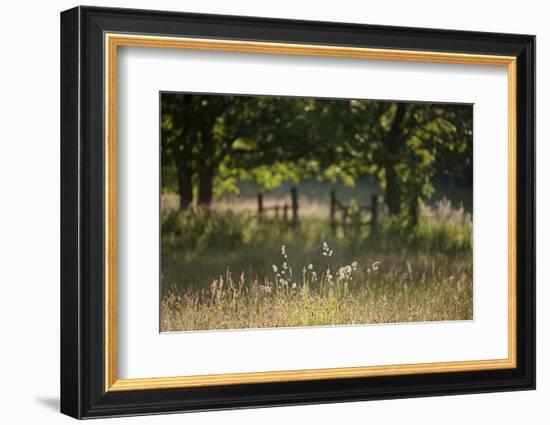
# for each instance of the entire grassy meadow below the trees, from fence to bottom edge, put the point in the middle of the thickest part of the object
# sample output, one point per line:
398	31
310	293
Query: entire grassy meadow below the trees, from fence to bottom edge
222	268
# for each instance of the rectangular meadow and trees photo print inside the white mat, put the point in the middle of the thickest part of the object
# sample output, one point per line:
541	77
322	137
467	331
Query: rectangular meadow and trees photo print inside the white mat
281	212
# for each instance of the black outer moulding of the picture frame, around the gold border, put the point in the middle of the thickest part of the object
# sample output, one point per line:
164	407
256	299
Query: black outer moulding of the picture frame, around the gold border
83	392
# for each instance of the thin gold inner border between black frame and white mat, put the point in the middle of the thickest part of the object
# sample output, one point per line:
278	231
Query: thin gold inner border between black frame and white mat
111	43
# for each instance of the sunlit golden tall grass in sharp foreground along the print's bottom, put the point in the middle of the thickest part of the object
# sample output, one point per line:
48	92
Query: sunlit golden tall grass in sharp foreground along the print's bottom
423	291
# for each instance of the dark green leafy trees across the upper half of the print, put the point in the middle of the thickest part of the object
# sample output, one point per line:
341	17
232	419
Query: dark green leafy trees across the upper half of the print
210	142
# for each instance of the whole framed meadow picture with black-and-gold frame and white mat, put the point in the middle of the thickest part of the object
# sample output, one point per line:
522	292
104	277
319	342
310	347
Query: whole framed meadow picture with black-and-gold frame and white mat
261	212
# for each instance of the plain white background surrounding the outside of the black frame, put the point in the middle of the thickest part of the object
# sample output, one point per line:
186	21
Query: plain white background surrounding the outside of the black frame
29	209
